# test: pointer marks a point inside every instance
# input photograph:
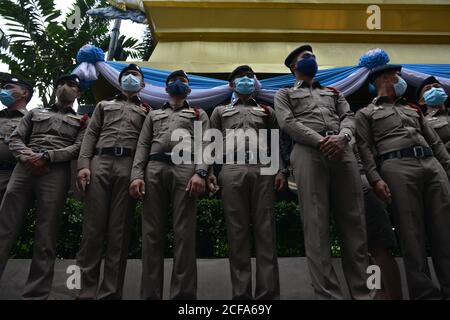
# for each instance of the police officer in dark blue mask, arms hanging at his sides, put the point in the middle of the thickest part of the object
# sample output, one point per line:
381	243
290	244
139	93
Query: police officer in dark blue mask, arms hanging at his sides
162	184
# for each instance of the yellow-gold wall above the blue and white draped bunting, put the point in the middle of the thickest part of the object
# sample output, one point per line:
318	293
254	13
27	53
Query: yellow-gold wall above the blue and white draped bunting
216	35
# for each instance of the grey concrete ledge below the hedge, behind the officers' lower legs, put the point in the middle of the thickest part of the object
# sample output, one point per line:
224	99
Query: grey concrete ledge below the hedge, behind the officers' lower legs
213	279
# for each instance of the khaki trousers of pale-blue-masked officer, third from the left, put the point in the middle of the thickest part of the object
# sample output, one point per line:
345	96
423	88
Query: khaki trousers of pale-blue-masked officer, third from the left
108	217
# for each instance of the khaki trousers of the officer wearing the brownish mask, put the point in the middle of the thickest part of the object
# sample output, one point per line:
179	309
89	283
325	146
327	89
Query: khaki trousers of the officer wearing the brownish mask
50	192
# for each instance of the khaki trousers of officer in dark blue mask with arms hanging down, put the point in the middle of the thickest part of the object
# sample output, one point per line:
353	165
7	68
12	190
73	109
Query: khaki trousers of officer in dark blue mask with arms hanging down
166	189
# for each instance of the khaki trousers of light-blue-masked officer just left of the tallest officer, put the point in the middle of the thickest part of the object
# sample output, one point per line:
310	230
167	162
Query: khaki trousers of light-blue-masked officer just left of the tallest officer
248	202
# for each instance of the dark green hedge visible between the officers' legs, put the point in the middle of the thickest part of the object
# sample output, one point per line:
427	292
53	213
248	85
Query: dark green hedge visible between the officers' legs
211	231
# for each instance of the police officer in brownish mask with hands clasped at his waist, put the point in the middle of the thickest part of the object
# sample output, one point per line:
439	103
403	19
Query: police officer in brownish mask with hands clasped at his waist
44	144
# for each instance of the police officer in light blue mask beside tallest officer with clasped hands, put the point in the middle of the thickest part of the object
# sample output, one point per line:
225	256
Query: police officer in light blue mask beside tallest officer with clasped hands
248	195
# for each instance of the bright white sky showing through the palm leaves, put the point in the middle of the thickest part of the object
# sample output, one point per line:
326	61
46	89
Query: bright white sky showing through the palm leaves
128	28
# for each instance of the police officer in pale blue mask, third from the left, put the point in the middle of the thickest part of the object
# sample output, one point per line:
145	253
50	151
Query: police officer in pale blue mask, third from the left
104	166
